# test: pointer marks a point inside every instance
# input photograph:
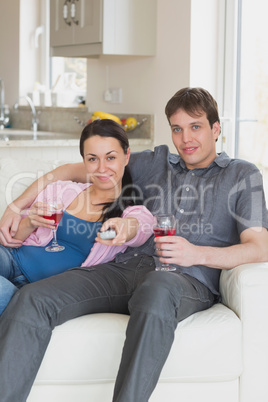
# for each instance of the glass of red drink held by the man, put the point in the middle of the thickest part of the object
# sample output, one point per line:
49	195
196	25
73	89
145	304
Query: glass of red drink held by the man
165	226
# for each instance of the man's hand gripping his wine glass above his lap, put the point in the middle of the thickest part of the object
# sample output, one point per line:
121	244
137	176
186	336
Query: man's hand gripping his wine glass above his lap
176	250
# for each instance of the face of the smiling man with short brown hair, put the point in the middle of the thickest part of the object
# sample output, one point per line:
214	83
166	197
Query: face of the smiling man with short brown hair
194	139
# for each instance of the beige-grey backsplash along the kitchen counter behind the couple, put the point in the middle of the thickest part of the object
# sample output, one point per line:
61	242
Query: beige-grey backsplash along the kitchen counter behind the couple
65	120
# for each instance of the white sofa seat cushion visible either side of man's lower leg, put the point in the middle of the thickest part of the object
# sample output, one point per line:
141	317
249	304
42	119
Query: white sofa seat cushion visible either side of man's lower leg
85	350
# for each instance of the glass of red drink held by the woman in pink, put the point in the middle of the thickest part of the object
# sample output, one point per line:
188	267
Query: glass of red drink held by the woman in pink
56	207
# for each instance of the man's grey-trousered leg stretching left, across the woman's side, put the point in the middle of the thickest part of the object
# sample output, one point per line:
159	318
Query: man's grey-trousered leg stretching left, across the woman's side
26	324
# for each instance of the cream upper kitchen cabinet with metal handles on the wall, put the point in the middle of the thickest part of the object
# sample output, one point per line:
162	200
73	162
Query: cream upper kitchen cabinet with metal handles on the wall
84	28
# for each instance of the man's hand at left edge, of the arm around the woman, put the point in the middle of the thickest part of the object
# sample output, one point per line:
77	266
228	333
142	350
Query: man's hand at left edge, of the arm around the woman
8	227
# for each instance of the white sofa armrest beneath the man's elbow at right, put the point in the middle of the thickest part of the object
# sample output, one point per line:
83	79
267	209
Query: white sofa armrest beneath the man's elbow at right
244	289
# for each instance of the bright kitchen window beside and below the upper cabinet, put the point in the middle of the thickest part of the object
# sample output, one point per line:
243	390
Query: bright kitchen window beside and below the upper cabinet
63	80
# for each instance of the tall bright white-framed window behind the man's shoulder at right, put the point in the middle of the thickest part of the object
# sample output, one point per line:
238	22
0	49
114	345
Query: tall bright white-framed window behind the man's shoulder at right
245	114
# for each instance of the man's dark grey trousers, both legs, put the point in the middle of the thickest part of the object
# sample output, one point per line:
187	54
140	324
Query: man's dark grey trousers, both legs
156	302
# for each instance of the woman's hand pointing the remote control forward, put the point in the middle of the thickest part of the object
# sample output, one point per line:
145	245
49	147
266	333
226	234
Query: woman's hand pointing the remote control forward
125	228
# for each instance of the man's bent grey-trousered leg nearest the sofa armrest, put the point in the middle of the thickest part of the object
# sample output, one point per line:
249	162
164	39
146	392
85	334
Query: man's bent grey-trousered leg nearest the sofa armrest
158	304
